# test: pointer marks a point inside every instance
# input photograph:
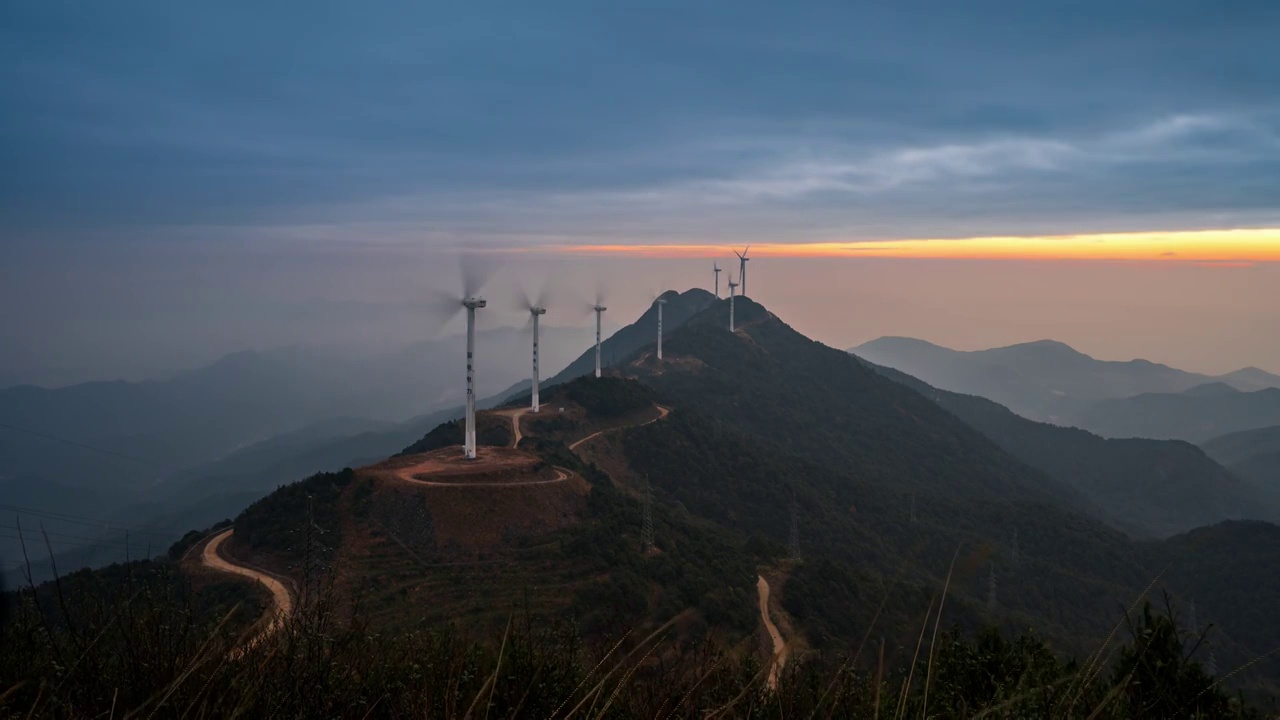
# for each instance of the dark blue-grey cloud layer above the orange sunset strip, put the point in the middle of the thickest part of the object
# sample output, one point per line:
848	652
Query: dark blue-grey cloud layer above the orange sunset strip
479	121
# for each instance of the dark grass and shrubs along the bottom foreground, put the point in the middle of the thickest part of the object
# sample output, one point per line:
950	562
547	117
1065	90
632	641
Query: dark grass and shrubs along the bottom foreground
143	644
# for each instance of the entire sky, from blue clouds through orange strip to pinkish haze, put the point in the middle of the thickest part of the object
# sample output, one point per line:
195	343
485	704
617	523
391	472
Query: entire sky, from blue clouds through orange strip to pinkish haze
184	181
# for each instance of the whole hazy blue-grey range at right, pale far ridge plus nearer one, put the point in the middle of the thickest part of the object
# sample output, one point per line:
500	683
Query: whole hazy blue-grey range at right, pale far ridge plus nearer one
1052	382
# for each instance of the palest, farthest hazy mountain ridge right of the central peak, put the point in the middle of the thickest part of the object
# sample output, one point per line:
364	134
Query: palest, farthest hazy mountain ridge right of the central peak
1044	381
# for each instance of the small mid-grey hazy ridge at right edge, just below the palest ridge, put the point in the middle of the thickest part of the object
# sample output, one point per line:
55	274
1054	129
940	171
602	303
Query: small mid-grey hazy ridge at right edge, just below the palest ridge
1196	416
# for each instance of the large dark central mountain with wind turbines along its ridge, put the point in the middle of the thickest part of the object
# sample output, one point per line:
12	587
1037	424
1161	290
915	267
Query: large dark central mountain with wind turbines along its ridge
765	454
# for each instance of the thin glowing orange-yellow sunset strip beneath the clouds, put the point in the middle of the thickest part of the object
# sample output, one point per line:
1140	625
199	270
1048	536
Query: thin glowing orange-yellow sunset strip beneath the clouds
1220	247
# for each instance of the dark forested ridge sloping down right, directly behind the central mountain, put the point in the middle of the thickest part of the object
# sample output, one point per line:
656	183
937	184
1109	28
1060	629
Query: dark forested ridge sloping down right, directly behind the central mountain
1149	489
